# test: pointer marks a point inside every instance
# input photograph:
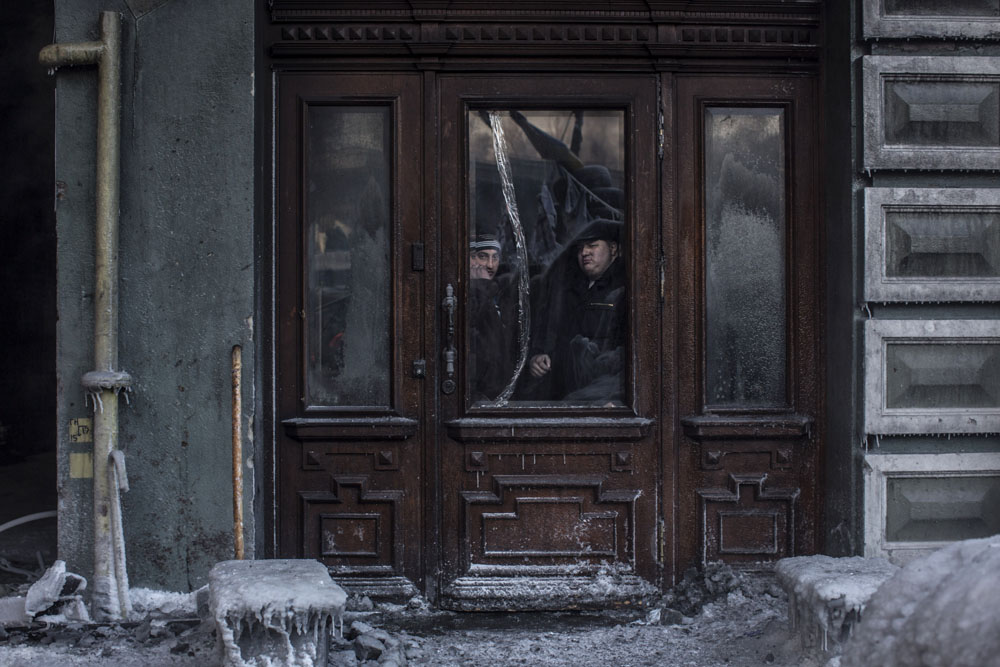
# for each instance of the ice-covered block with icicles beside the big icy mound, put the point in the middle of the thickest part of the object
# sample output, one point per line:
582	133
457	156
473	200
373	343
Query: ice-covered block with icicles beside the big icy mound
826	596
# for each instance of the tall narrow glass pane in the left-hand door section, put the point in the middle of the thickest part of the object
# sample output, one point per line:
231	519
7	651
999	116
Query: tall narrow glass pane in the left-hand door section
347	204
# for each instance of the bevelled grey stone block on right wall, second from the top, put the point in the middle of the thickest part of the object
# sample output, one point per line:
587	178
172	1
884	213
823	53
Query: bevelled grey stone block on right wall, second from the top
930	112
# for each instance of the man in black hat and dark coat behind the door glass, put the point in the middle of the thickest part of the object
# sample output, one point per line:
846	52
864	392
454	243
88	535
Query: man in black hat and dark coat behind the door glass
579	337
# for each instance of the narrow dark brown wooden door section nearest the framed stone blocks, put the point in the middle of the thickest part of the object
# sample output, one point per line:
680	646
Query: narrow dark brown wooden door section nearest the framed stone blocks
746	303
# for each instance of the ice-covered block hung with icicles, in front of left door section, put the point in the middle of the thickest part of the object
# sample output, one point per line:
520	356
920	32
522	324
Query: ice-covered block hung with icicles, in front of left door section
274	612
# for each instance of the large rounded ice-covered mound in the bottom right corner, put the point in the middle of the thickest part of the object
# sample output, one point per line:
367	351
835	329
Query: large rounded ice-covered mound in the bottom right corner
938	611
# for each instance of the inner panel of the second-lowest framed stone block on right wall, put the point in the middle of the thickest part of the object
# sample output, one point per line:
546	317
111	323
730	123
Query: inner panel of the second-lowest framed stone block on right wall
942	375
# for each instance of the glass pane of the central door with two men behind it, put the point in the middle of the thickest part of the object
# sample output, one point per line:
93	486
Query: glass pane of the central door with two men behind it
546	299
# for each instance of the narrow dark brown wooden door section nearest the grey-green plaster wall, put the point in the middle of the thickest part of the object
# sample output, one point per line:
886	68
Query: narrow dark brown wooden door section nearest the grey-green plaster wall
350	396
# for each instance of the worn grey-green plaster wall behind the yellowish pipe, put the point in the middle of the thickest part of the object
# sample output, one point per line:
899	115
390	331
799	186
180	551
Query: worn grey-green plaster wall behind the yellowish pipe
186	276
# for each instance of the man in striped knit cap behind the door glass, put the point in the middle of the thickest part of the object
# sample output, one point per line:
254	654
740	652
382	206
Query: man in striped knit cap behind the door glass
492	320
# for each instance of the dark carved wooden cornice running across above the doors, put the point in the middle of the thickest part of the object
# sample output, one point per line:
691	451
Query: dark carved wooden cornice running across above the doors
581	30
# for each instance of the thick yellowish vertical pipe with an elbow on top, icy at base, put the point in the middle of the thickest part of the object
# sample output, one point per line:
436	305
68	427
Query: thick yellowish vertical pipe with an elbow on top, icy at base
106	381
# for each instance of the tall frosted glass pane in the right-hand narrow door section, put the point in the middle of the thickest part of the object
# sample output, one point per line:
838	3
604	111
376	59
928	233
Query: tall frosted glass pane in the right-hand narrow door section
745	302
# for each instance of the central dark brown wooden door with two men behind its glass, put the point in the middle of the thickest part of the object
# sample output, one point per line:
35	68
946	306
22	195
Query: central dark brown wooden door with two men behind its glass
549	289
